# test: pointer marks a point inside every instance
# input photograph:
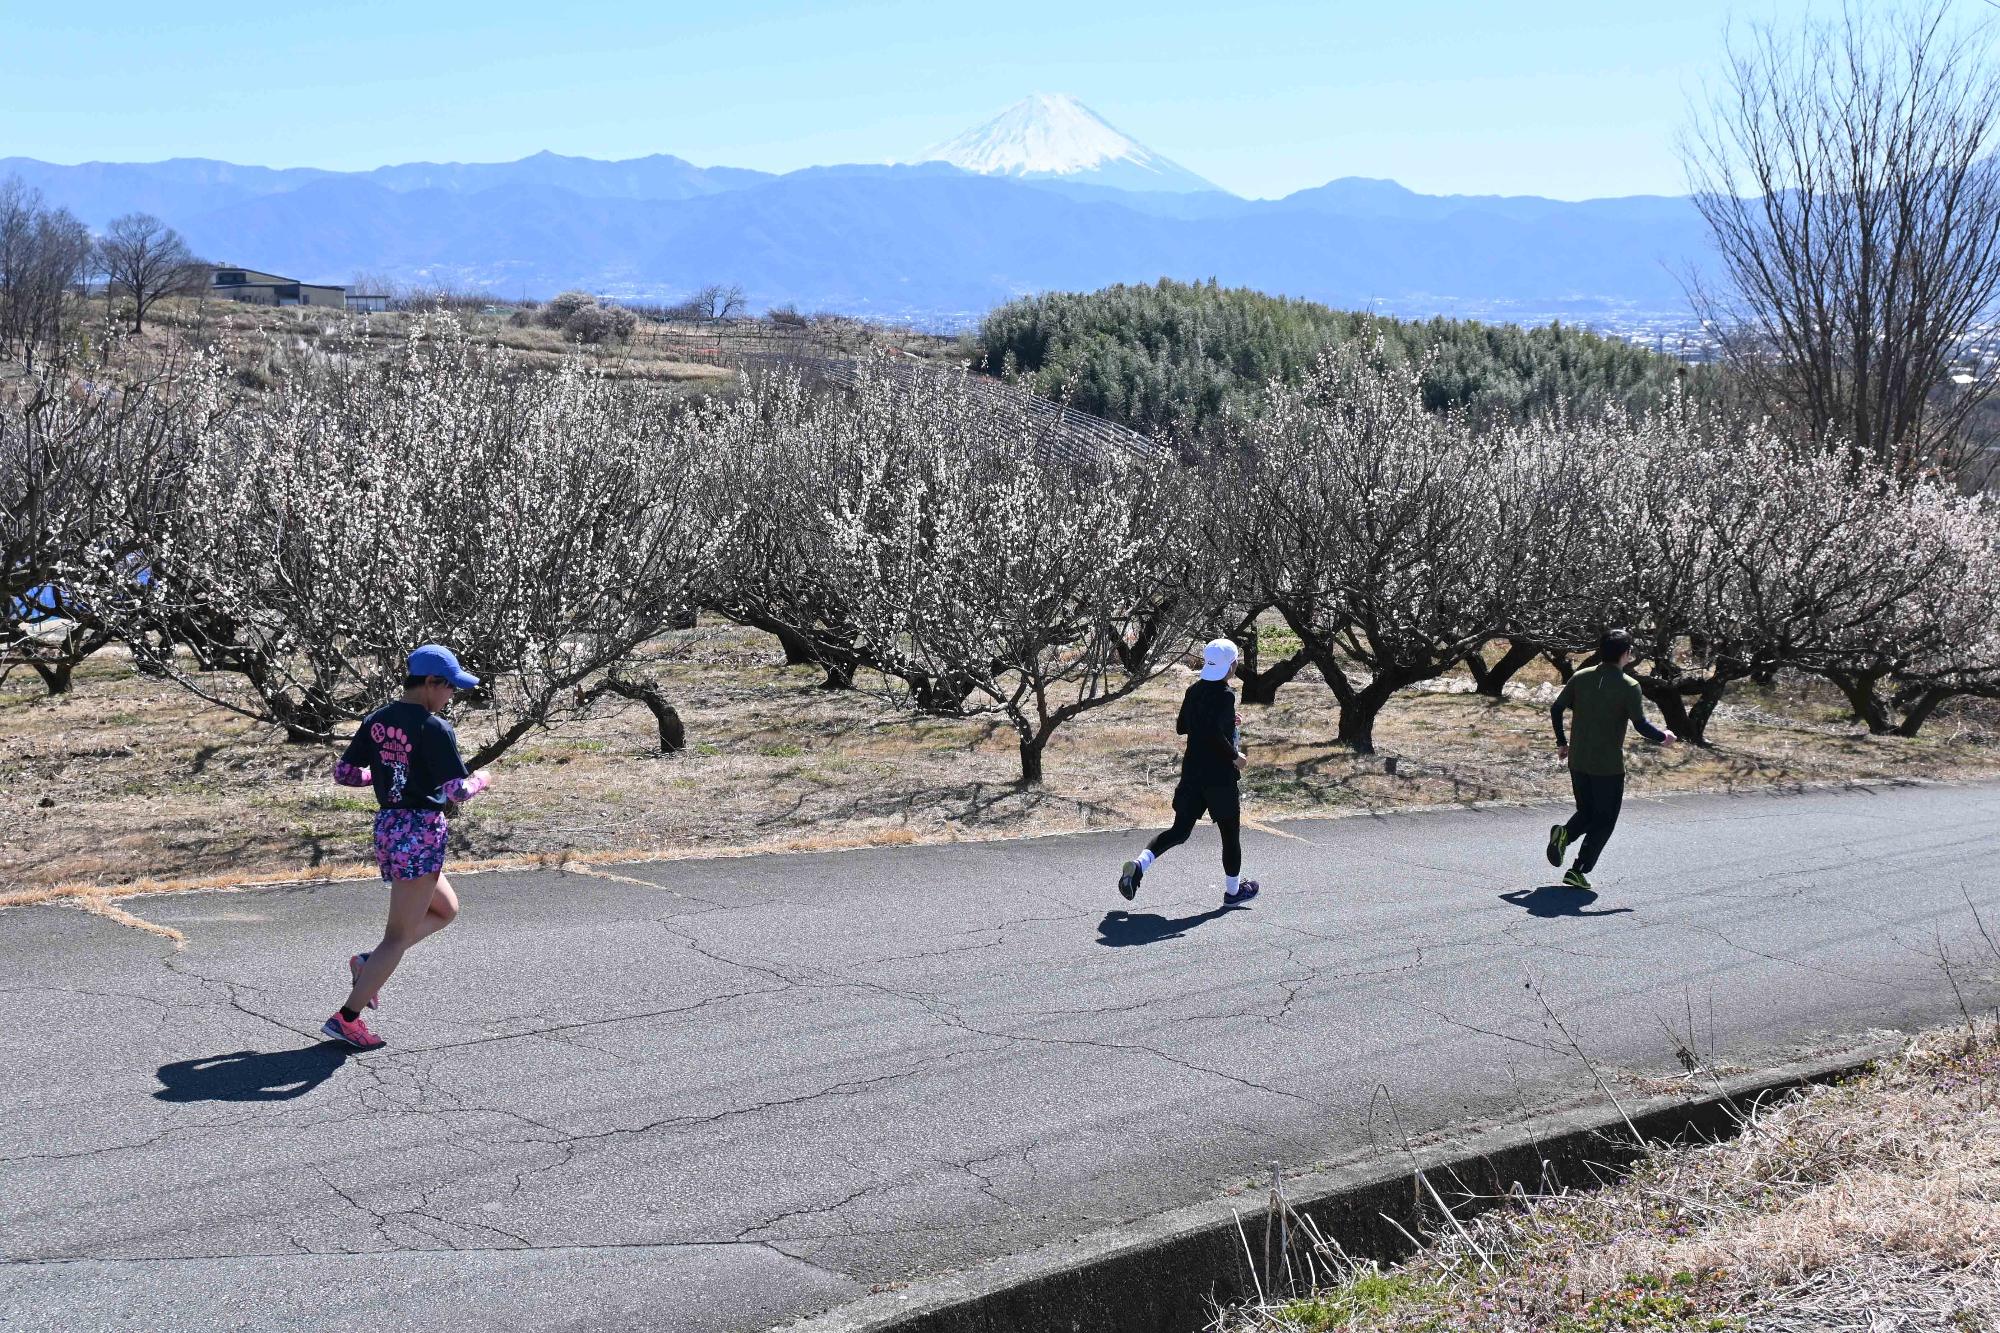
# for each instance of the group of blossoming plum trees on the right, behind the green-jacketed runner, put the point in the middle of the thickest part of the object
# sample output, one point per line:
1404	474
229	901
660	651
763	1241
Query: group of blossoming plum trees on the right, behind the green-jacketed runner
1401	541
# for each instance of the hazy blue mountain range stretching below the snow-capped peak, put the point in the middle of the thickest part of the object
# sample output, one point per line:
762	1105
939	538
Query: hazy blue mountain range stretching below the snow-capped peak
931	243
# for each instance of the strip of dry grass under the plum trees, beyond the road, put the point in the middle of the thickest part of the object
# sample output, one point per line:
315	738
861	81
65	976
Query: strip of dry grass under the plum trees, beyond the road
131	784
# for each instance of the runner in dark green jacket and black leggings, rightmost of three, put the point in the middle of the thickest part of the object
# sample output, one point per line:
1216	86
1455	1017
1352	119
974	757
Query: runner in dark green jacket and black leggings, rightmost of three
1605	700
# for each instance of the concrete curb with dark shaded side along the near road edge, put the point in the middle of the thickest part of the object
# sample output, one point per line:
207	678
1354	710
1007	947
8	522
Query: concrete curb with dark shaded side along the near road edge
1169	1274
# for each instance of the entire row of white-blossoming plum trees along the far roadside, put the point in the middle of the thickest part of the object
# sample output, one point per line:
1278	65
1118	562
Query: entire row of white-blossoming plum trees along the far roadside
941	547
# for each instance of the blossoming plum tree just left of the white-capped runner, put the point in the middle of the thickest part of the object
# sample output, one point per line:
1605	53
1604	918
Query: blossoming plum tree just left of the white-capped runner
1047	581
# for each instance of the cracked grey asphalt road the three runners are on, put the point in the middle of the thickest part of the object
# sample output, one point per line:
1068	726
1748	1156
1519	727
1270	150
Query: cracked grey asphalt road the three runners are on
719	1094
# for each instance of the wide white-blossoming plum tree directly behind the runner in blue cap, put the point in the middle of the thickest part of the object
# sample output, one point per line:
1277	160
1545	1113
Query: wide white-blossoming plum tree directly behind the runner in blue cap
545	525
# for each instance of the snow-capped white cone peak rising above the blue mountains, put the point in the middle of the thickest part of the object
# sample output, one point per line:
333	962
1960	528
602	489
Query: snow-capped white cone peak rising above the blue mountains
1055	137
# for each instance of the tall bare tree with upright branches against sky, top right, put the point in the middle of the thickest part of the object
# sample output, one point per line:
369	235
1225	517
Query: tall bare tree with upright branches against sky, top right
1847	175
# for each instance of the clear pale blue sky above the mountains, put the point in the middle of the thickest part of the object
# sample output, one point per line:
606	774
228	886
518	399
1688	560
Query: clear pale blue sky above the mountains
1527	97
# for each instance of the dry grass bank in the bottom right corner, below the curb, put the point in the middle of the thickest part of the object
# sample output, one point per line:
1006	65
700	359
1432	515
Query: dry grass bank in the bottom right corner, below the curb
1861	1206
